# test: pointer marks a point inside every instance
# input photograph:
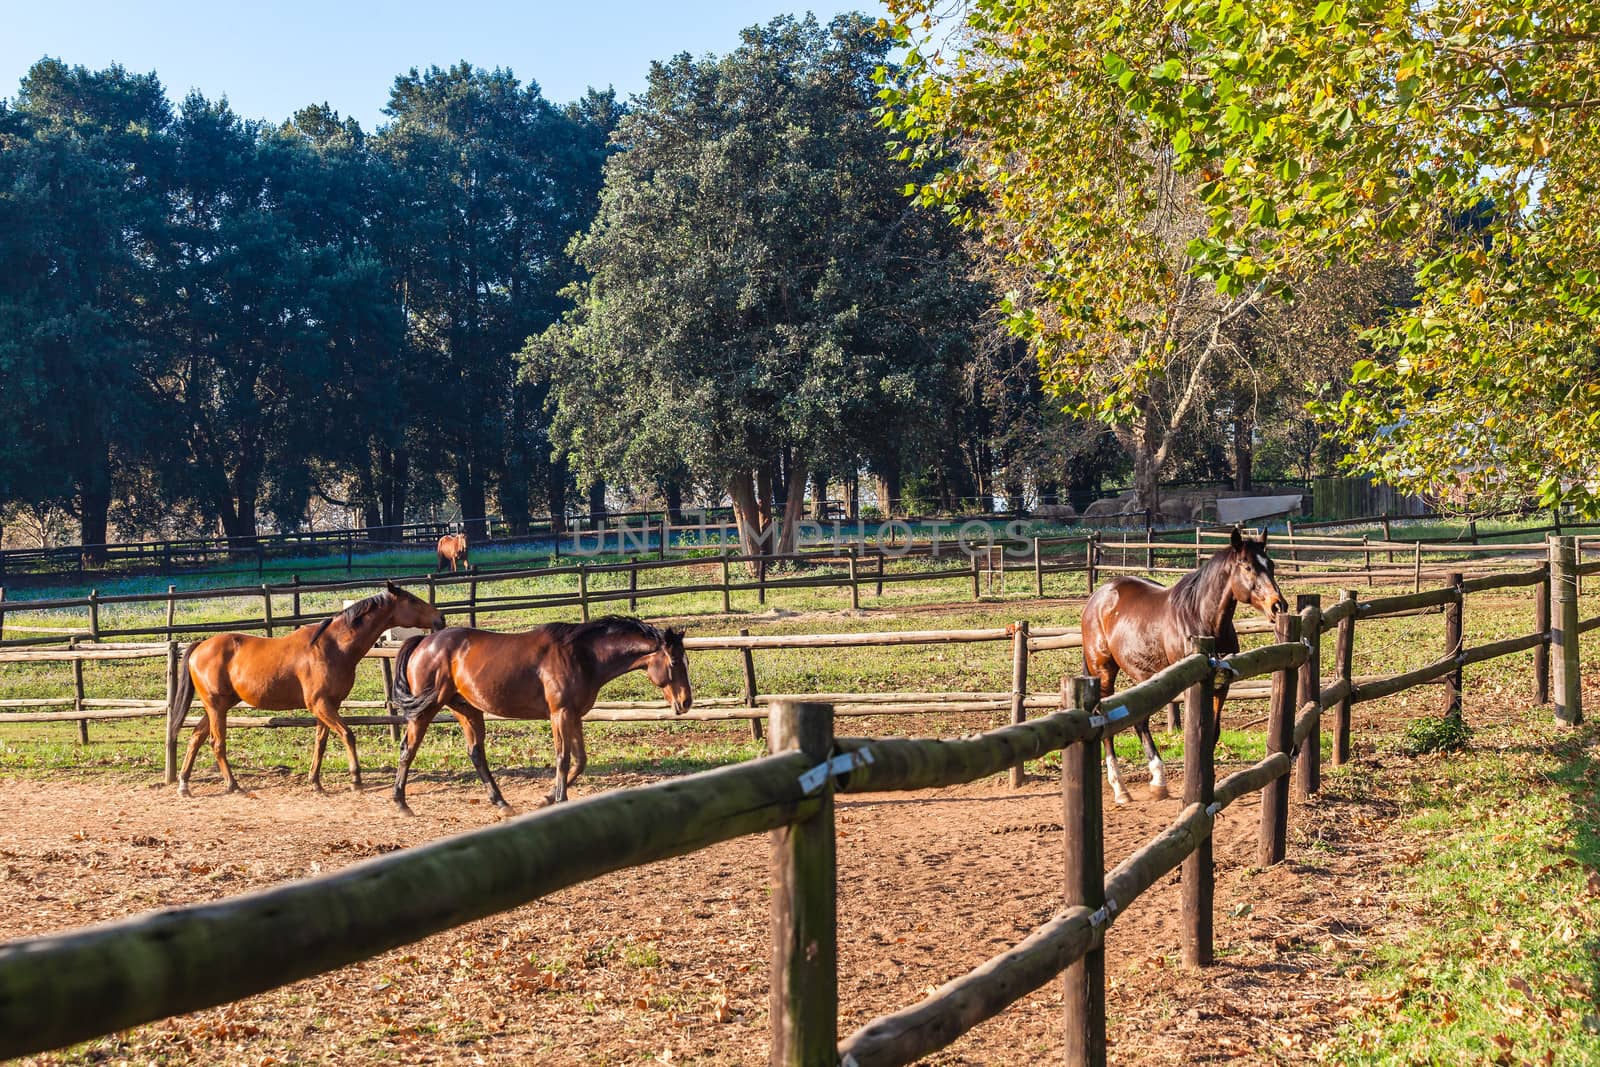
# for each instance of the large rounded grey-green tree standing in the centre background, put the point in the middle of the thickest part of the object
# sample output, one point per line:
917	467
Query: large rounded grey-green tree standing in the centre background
761	300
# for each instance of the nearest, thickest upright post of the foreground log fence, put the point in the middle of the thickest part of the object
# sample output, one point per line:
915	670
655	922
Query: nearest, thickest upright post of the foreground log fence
804	1001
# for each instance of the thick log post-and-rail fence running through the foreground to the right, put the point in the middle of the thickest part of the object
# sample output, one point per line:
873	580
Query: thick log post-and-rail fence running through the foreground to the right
79	985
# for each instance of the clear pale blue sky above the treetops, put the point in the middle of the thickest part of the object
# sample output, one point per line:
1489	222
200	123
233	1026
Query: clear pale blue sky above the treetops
276	57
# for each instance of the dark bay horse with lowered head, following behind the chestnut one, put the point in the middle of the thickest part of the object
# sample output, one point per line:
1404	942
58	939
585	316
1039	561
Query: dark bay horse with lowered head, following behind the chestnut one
553	673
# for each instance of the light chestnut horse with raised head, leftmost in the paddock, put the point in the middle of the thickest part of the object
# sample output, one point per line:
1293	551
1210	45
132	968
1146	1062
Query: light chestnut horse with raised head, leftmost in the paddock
313	668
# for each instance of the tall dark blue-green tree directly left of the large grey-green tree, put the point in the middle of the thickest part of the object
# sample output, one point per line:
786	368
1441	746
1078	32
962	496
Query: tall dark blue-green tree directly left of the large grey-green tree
495	183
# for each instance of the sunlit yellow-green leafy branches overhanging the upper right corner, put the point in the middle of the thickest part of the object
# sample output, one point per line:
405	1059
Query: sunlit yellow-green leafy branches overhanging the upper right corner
1460	137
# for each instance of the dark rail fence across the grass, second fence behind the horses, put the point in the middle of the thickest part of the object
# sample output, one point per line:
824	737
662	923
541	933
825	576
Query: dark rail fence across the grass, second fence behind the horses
846	569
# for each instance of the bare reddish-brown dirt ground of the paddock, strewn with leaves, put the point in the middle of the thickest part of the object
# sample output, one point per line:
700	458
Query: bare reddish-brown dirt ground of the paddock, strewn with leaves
668	964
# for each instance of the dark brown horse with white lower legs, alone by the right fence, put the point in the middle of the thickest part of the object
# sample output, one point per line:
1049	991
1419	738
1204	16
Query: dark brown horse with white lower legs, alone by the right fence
1140	628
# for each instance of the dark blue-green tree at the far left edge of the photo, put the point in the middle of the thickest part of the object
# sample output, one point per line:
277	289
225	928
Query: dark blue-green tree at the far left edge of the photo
84	159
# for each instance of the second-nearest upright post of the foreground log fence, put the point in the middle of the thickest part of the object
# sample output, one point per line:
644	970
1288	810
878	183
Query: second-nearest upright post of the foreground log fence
1084	983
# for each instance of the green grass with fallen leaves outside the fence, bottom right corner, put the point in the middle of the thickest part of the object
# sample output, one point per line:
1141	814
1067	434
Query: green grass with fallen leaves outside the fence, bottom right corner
1505	881
